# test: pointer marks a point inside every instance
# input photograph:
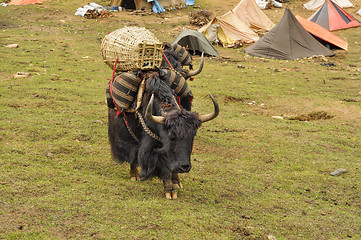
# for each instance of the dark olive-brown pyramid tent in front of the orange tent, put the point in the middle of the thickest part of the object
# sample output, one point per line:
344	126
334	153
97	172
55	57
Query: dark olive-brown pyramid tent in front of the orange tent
287	40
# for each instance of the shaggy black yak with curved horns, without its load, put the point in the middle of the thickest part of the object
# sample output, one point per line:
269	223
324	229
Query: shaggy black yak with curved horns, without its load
158	137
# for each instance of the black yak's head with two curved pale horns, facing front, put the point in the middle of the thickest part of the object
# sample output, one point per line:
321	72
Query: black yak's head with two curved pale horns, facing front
180	127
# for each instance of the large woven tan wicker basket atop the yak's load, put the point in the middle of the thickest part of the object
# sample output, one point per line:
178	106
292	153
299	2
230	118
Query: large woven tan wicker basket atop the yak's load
135	48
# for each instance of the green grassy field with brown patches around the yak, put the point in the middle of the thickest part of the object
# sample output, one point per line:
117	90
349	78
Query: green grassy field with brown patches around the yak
254	176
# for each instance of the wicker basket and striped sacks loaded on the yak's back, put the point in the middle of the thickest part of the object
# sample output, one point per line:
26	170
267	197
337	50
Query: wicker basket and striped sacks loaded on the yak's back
131	52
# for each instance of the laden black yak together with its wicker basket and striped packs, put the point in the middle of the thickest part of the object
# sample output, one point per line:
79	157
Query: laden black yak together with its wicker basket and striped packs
149	105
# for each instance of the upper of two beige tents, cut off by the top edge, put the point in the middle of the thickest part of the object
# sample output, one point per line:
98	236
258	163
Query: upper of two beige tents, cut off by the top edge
249	12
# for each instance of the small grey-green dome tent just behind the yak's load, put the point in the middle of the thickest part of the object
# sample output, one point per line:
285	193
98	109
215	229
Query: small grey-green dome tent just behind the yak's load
195	41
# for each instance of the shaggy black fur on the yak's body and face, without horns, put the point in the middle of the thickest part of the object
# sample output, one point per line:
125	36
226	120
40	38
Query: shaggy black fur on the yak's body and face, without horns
155	158
